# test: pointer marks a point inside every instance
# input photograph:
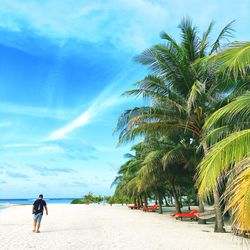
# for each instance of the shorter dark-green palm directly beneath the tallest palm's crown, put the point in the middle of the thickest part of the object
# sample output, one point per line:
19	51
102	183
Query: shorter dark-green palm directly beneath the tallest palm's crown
166	165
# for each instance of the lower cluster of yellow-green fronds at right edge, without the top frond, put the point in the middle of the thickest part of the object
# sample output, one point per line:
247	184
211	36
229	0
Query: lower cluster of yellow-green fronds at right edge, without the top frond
230	156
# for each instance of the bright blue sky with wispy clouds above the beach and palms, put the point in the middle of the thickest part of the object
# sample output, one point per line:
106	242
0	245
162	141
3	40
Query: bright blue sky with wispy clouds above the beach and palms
63	68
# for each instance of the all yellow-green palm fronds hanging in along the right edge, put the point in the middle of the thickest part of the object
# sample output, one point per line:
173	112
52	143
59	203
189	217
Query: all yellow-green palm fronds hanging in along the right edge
230	126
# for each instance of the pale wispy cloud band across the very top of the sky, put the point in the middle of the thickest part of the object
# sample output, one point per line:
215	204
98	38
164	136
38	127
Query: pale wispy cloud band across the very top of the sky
127	24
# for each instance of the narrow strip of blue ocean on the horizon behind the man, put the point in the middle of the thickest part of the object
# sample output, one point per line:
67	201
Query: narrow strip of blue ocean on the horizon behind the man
31	200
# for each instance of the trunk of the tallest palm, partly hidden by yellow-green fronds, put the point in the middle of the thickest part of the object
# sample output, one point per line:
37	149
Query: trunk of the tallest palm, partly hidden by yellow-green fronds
219	224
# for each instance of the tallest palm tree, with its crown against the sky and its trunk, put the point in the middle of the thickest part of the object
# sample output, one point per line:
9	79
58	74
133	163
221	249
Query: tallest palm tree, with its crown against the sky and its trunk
182	91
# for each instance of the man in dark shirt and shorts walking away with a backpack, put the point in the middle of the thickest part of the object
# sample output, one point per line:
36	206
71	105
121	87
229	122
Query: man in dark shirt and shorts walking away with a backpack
37	210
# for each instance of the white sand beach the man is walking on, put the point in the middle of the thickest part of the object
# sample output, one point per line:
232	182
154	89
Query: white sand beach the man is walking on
104	227
